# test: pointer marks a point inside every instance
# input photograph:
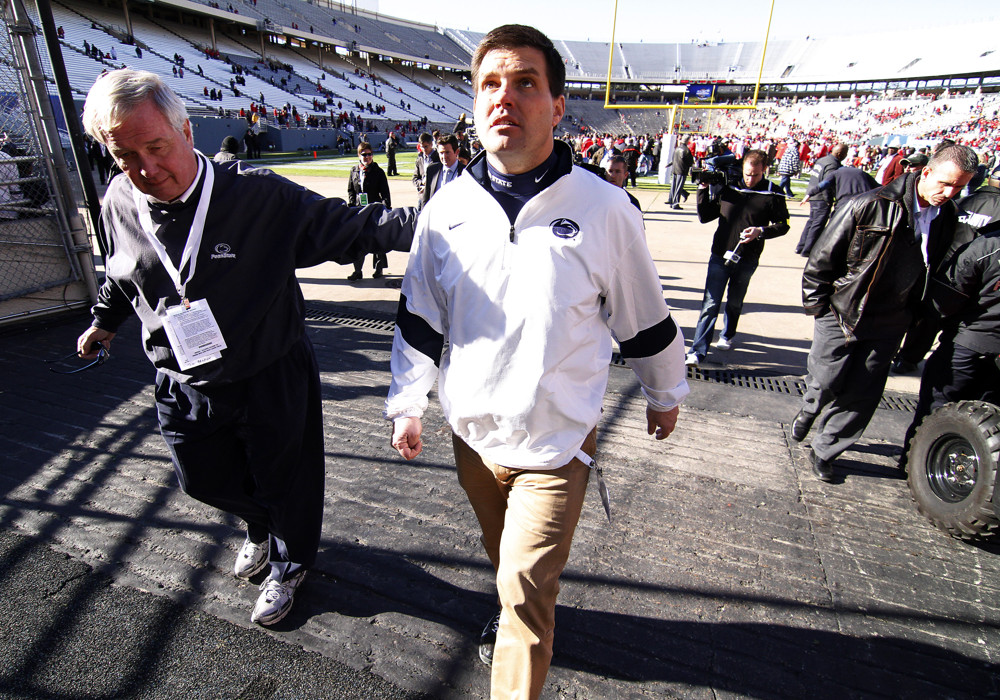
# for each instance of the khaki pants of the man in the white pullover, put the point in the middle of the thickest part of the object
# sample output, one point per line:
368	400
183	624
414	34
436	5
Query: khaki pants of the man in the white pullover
528	518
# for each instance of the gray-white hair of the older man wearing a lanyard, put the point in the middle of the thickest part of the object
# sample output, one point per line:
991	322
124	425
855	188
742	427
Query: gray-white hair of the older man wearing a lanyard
116	95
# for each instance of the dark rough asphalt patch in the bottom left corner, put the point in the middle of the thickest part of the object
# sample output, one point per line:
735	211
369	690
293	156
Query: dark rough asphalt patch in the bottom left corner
70	632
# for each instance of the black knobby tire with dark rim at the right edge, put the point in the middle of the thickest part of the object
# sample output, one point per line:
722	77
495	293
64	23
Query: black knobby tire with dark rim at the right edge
952	467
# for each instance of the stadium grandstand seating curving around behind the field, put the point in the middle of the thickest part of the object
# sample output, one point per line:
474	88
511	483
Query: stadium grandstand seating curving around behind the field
333	68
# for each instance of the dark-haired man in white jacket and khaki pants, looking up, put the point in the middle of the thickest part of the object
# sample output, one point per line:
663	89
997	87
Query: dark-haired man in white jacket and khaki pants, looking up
526	266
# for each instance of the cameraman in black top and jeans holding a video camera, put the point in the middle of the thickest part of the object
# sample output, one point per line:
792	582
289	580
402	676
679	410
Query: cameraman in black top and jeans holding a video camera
749	209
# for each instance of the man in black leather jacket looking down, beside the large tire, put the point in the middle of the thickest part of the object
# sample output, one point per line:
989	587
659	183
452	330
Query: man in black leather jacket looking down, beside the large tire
865	280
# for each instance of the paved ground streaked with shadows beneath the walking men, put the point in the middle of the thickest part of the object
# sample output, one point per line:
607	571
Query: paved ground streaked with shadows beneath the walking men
728	569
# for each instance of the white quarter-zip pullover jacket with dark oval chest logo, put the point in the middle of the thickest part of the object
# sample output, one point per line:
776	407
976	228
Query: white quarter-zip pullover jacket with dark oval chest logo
520	317
